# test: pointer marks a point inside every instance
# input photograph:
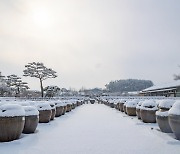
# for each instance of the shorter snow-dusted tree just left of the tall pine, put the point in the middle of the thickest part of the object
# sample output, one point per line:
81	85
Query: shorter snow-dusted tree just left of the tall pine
15	82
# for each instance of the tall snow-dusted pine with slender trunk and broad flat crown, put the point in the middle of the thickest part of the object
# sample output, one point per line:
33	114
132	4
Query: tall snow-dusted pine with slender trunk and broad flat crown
38	70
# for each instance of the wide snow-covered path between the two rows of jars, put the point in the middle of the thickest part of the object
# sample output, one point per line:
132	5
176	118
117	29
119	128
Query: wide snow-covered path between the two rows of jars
94	129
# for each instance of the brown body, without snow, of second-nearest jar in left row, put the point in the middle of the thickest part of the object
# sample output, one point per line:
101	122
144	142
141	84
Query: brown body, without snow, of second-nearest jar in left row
31	123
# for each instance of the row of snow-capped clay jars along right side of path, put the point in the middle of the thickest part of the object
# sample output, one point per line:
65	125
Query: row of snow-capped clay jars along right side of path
165	112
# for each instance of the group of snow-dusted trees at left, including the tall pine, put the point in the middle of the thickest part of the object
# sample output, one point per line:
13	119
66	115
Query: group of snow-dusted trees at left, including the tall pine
12	85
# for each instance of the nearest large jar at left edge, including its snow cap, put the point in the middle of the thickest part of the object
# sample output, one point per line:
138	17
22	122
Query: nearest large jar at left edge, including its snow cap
12	119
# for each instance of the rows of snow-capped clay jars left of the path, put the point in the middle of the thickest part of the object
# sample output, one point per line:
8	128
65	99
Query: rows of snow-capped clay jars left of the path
23	117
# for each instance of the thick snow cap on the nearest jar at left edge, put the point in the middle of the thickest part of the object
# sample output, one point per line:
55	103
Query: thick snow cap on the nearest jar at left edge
11	110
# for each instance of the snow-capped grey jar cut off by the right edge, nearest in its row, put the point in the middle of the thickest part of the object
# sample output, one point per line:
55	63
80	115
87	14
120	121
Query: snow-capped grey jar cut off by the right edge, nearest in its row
174	119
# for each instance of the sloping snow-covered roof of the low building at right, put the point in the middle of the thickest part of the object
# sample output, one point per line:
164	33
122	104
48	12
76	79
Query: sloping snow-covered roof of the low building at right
168	86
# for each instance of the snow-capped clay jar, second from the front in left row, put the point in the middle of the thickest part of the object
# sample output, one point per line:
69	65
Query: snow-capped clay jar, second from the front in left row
31	119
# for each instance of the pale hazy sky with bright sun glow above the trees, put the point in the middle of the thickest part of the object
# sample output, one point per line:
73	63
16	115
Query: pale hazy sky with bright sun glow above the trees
91	42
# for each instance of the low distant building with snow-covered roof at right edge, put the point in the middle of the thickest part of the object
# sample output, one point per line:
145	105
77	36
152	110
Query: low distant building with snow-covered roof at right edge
169	90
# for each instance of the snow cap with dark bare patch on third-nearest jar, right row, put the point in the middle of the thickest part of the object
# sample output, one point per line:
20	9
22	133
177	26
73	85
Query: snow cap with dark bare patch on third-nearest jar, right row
149	105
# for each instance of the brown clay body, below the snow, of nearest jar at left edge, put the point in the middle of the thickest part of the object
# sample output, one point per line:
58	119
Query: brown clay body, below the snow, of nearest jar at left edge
11	128
